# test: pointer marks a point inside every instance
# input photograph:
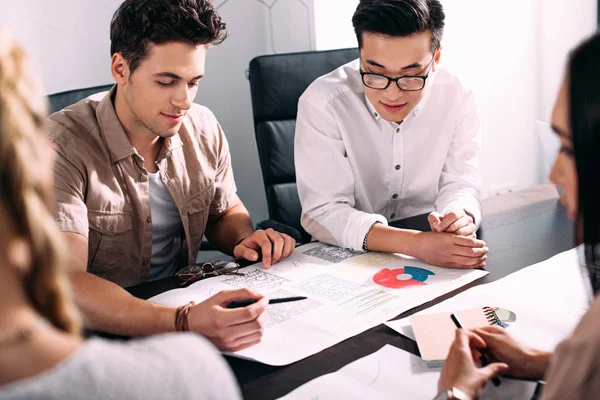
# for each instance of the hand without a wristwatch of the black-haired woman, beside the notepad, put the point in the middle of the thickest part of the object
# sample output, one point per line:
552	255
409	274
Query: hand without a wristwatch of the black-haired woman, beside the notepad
524	362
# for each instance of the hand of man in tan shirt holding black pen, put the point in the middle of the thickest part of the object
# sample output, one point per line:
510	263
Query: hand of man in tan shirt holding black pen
230	329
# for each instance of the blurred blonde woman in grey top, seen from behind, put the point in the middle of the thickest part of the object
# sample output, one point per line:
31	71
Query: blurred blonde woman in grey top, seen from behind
41	352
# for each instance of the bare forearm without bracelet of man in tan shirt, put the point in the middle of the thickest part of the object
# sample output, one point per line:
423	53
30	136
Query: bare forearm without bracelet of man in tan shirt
228	229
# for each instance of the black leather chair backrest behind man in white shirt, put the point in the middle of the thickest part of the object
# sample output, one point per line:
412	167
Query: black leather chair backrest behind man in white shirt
276	83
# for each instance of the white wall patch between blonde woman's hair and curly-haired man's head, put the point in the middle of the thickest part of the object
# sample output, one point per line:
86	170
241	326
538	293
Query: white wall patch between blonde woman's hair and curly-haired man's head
67	40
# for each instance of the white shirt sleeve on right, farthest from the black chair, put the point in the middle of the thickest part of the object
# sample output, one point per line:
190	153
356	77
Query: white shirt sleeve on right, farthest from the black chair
460	180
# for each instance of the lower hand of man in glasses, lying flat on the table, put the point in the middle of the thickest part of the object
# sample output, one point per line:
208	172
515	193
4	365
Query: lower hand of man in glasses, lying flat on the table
449	250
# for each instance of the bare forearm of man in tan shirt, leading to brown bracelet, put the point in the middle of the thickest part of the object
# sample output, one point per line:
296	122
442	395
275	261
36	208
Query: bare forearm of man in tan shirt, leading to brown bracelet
107	307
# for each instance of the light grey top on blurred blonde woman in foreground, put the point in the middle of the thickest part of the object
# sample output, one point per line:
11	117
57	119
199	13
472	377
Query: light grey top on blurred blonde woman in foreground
174	366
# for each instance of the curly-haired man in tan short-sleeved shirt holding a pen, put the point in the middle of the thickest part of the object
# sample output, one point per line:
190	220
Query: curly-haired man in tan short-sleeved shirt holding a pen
143	173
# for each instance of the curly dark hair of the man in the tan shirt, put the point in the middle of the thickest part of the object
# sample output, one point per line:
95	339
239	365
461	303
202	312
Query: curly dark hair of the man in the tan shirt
137	23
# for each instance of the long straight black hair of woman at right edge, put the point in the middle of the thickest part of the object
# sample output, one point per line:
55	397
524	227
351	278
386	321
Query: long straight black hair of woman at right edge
584	106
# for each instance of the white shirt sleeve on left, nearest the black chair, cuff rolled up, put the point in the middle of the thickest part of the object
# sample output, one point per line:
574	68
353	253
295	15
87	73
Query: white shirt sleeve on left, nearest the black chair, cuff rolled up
326	182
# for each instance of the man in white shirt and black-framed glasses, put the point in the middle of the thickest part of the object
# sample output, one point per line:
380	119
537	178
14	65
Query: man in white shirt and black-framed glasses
389	136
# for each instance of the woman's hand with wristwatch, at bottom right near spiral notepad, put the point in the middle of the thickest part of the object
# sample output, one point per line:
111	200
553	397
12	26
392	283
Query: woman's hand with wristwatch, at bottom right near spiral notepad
461	371
